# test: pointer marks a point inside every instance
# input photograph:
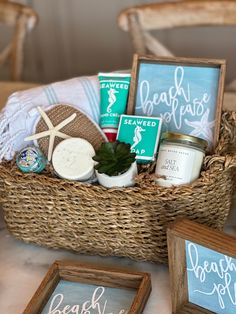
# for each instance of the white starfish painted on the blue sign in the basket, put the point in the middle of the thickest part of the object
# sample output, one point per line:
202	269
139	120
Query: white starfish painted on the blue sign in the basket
202	127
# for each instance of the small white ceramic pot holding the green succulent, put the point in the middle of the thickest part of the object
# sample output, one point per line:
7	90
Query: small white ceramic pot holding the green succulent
124	180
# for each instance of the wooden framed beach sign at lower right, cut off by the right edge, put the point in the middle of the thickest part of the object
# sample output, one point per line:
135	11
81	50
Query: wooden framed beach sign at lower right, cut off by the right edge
202	266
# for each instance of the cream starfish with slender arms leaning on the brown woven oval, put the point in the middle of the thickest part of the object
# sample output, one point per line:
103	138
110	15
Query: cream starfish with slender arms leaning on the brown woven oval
52	131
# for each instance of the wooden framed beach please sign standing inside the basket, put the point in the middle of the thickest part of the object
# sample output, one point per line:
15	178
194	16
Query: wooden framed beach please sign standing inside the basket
186	93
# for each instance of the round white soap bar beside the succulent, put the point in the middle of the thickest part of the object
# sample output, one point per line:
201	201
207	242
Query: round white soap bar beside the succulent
72	159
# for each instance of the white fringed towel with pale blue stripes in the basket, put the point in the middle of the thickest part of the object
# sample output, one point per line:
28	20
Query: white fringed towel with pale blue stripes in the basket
18	117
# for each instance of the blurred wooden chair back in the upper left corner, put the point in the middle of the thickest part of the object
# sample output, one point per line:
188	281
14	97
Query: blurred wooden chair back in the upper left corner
22	19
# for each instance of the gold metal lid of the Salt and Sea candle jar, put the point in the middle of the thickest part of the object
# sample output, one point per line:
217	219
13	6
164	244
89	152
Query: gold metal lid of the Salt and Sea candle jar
185	139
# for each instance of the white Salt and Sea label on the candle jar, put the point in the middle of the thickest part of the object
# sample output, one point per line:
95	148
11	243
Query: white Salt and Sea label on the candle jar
176	164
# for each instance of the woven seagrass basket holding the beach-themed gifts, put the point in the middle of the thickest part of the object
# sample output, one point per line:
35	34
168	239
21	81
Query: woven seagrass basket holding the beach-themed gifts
121	222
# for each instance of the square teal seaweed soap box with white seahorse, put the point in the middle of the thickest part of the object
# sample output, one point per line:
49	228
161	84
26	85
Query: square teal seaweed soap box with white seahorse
142	133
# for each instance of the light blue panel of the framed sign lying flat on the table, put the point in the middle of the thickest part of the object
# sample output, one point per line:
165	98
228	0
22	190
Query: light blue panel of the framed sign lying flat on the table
79	298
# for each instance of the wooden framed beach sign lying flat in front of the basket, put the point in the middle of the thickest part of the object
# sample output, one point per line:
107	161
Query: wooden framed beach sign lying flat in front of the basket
70	287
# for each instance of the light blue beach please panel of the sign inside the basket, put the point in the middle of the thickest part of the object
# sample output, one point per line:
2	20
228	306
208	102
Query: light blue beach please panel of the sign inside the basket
184	96
